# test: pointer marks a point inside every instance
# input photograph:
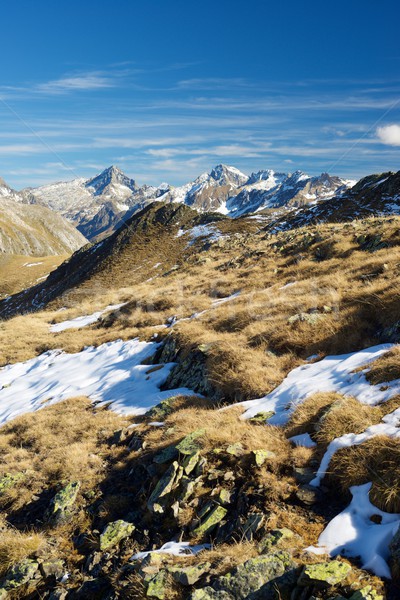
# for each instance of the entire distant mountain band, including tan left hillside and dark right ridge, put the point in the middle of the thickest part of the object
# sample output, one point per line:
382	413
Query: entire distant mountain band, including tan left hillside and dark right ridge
61	217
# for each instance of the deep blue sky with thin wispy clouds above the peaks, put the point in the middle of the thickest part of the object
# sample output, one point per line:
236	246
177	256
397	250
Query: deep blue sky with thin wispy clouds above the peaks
166	89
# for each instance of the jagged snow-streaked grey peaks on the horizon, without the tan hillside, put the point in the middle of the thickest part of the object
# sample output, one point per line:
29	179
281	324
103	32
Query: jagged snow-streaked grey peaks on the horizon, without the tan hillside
98	206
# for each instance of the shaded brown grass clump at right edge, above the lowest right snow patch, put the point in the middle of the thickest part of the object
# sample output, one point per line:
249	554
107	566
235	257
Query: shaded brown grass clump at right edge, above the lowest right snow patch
375	460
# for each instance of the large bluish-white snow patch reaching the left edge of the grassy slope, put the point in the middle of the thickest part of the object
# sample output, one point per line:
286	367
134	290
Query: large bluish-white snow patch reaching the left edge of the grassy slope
111	373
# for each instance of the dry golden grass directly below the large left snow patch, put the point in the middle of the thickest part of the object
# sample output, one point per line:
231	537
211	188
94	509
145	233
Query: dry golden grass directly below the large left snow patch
57	444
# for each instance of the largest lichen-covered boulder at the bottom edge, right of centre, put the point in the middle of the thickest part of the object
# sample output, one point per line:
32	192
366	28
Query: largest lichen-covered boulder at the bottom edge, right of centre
251	580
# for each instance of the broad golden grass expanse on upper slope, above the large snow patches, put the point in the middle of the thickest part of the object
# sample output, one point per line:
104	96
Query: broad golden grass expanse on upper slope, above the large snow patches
254	343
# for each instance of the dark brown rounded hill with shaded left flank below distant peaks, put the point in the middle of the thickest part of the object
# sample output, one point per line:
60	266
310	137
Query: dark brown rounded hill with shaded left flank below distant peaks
154	236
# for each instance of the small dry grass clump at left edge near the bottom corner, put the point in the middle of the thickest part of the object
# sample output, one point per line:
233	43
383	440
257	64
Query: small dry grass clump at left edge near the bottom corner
16	545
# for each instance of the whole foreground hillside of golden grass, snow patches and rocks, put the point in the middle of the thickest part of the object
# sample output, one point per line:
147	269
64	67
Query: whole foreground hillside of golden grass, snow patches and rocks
298	331
